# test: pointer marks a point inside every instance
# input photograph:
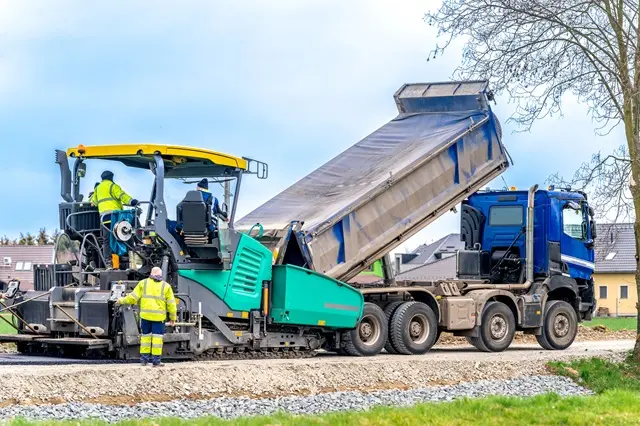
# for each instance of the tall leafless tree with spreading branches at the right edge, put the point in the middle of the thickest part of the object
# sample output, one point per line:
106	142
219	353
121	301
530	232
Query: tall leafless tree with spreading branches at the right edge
539	51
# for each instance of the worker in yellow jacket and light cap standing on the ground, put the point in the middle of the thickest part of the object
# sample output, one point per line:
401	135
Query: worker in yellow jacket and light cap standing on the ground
156	300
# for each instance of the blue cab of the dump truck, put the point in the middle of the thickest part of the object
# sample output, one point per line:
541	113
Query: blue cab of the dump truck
494	228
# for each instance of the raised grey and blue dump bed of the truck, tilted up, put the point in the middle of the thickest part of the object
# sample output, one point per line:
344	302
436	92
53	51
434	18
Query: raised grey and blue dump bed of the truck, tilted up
444	144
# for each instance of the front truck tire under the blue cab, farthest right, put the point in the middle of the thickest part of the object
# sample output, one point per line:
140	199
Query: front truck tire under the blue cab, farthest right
560	326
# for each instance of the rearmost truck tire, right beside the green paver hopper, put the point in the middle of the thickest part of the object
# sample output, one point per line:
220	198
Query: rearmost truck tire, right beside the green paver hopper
370	335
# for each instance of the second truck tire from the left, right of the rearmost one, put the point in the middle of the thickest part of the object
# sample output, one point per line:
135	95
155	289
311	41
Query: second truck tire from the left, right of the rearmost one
413	328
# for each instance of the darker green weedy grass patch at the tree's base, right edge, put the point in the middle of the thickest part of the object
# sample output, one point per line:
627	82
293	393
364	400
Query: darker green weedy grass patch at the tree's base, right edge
600	375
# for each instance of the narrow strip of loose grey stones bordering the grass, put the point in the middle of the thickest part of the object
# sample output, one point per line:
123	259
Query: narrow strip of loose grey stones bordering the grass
229	408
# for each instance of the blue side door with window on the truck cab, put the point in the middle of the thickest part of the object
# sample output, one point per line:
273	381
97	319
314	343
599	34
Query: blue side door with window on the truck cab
576	246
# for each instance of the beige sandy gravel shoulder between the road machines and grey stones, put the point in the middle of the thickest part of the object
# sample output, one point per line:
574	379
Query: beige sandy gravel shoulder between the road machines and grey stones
130	384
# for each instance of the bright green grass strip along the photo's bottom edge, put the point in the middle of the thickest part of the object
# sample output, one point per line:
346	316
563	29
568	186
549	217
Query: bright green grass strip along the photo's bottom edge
618	407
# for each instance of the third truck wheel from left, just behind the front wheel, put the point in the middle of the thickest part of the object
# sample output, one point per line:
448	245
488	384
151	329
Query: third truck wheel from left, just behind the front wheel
498	327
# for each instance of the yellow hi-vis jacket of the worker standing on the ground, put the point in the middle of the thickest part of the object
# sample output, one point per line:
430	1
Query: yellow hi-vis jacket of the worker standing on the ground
156	300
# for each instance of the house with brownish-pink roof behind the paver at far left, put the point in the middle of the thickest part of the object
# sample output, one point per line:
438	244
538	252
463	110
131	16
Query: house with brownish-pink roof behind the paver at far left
17	262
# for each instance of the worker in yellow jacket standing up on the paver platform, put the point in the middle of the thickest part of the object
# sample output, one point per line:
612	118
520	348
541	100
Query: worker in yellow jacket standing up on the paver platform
108	197
